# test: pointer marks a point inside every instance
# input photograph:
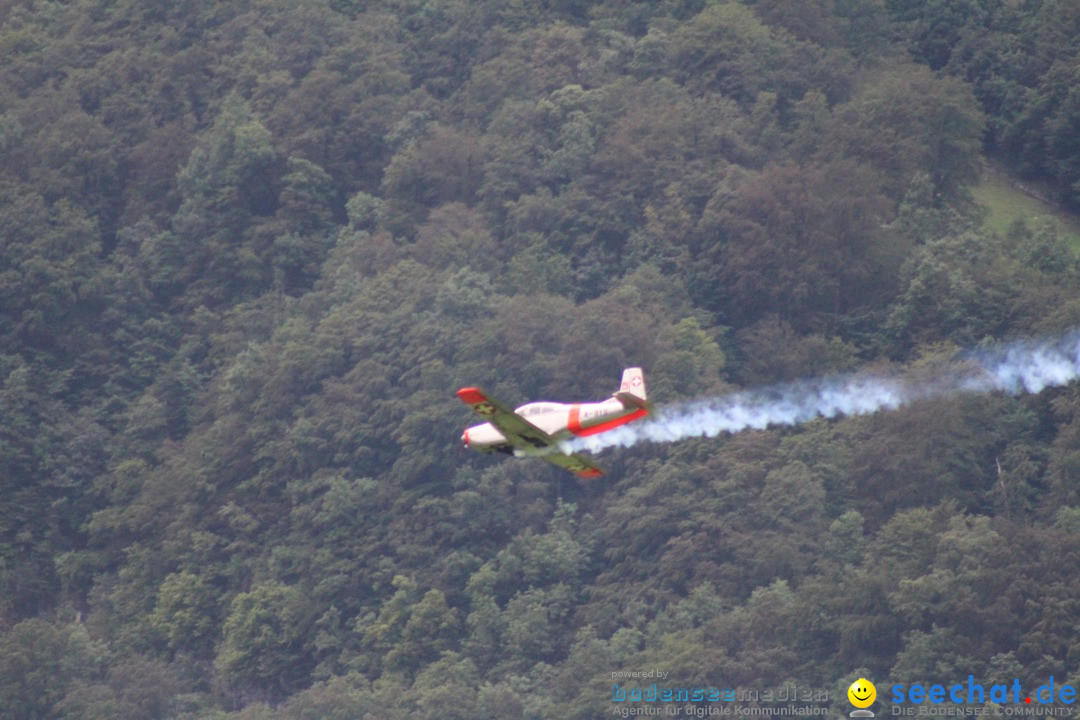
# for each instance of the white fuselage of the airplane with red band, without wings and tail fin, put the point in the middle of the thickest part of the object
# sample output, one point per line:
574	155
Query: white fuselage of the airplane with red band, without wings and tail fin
560	420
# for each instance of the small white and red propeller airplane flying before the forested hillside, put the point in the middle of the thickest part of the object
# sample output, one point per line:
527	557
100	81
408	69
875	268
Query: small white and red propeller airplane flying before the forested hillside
536	429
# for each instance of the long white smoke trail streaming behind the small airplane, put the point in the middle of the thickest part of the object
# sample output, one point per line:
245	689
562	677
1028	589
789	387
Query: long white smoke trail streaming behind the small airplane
1014	369
